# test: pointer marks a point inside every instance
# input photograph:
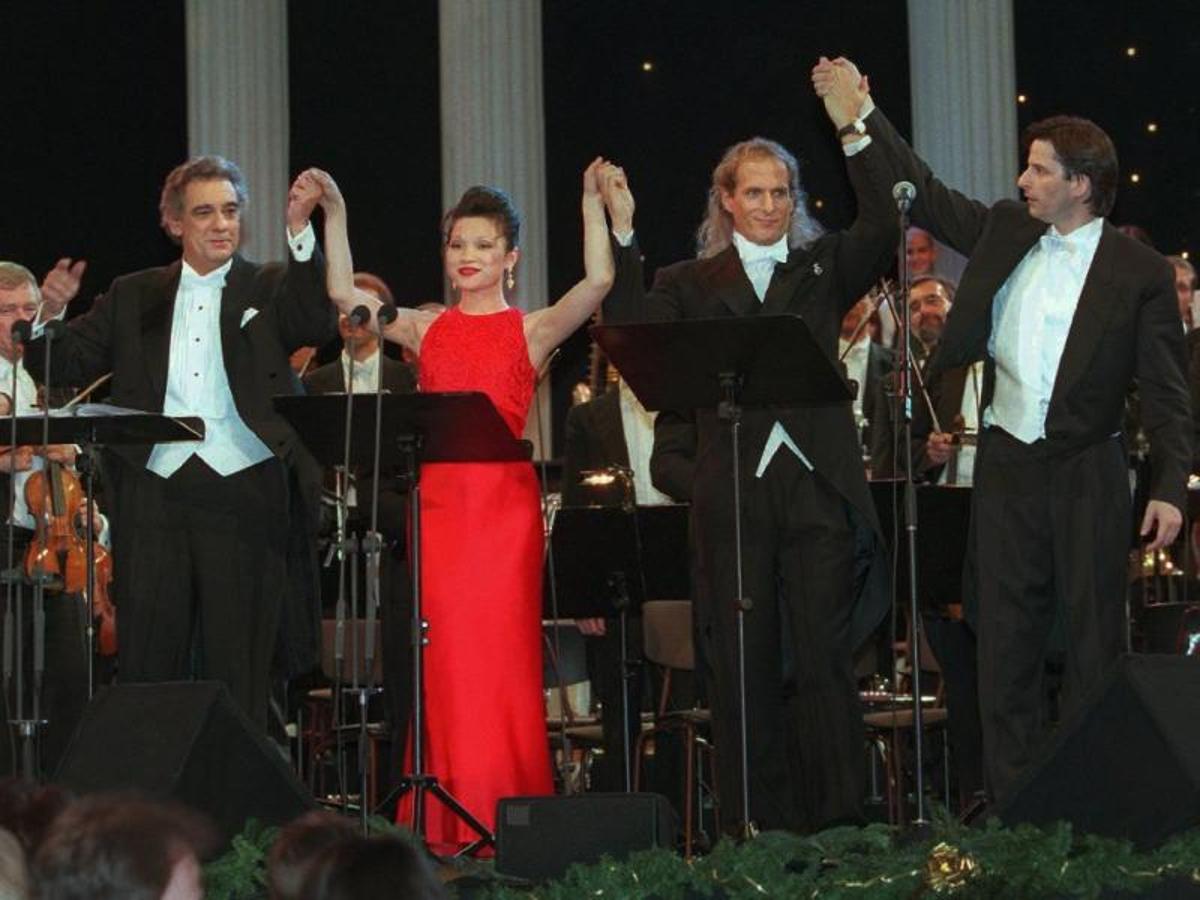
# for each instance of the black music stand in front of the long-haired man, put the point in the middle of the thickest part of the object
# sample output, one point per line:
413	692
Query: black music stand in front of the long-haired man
727	364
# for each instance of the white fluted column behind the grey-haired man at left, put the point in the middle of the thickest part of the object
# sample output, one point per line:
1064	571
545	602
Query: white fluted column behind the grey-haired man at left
238	106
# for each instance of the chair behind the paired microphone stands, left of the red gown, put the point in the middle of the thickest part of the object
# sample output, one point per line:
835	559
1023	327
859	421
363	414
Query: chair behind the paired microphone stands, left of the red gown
320	729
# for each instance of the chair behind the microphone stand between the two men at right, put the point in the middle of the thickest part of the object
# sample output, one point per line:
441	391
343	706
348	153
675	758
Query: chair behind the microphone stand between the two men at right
890	724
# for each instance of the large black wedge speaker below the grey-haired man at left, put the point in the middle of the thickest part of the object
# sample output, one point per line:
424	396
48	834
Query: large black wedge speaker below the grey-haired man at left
185	741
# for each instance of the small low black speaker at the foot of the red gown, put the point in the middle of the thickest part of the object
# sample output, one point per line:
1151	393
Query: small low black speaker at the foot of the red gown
538	838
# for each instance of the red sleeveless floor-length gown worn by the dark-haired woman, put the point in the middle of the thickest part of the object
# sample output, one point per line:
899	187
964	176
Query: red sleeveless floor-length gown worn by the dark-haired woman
482	563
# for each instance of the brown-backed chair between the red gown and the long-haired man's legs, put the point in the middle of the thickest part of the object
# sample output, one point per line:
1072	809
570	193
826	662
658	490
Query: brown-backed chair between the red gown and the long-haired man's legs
668	644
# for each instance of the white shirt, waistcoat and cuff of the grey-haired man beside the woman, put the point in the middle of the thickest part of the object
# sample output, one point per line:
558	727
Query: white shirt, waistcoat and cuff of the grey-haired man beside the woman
197	383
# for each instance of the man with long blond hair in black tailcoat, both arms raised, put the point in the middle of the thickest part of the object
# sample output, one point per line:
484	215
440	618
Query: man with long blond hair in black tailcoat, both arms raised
809	529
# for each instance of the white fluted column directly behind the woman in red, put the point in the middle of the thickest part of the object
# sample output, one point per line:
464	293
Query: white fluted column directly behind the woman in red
494	133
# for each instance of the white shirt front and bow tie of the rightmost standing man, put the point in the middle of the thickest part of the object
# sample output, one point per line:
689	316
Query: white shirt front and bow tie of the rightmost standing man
1030	322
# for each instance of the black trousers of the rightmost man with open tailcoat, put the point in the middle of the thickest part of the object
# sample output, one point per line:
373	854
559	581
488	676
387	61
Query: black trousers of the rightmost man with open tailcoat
1051	535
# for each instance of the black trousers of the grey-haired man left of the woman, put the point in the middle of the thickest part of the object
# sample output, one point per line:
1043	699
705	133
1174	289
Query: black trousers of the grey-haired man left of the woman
201	575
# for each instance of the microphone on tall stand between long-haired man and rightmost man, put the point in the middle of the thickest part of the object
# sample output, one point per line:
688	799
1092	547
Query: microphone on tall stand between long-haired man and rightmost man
907	370
